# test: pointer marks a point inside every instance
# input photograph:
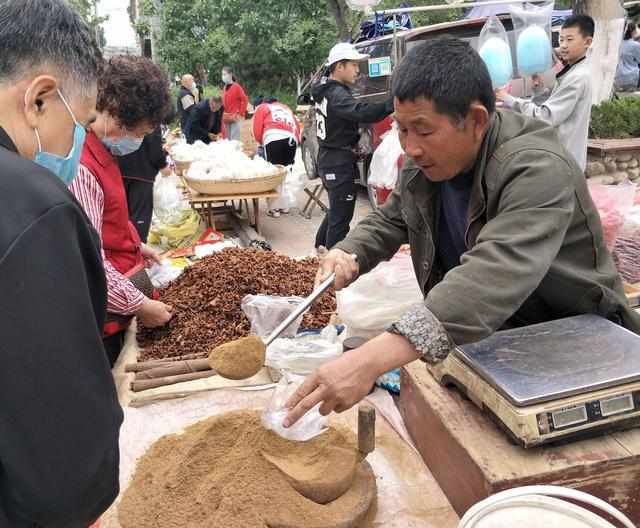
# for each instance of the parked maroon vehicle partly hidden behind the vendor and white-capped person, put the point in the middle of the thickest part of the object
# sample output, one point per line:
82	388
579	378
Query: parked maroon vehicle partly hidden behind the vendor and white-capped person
376	88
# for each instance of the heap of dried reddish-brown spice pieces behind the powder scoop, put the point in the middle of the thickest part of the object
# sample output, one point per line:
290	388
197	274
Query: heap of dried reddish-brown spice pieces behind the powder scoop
206	300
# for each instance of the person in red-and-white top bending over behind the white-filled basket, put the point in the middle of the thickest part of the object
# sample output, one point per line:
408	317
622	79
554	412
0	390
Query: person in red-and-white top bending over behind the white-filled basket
276	129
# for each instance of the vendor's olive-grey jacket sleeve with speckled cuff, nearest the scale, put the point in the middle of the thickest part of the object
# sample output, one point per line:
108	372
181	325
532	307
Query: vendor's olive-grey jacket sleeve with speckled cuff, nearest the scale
512	254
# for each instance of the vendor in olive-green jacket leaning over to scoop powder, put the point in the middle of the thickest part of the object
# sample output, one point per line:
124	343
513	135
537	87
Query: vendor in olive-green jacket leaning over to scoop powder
502	228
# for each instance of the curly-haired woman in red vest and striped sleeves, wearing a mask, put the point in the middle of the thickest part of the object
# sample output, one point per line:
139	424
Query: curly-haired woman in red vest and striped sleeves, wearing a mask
133	99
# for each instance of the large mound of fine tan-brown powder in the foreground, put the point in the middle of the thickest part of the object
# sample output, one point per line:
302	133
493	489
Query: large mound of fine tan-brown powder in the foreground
215	475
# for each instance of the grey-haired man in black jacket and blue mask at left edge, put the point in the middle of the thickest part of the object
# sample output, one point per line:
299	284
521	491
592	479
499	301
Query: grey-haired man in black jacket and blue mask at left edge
59	413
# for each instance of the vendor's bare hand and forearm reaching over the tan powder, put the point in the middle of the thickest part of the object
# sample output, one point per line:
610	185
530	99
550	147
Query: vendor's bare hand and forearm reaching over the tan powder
343	382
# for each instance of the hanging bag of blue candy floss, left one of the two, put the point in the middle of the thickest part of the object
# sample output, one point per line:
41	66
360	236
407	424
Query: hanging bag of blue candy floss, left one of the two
493	47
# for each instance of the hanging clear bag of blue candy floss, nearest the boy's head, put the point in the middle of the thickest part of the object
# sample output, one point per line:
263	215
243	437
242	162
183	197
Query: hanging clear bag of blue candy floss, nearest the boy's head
532	24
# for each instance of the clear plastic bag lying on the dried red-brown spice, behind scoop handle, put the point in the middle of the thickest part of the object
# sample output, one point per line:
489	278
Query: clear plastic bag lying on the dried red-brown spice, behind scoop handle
266	312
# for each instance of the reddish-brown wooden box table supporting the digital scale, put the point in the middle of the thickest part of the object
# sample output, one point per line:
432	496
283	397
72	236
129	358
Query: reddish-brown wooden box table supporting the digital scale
472	459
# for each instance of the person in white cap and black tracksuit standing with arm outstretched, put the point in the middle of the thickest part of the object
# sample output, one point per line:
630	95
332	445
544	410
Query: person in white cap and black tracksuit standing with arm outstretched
338	115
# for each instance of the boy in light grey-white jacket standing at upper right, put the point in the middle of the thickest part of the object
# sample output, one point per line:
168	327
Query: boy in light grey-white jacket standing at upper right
568	108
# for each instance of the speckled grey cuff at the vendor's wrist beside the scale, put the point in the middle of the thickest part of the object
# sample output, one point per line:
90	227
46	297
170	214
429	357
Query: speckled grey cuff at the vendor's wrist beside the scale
423	330
